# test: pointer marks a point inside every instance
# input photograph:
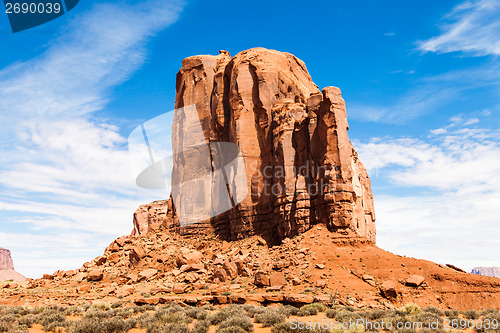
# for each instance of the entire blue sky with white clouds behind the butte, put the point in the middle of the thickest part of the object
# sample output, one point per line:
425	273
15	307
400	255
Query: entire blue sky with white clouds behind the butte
421	80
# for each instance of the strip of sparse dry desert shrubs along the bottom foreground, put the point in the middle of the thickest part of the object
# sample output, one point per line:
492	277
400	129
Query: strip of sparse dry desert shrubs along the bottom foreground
106	318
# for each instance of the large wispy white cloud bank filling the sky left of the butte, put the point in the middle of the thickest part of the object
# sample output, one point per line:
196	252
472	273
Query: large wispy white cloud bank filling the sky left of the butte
64	172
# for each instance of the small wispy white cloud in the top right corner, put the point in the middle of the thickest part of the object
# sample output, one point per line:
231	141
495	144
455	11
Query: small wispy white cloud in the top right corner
472	27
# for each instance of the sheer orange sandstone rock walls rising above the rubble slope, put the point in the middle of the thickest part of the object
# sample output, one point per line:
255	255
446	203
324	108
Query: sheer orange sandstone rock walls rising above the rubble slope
301	167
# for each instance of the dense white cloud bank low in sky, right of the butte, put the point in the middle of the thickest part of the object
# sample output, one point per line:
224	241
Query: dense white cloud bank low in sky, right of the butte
445	194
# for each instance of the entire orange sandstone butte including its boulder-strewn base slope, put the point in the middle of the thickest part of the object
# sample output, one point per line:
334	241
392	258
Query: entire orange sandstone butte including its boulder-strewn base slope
297	247
